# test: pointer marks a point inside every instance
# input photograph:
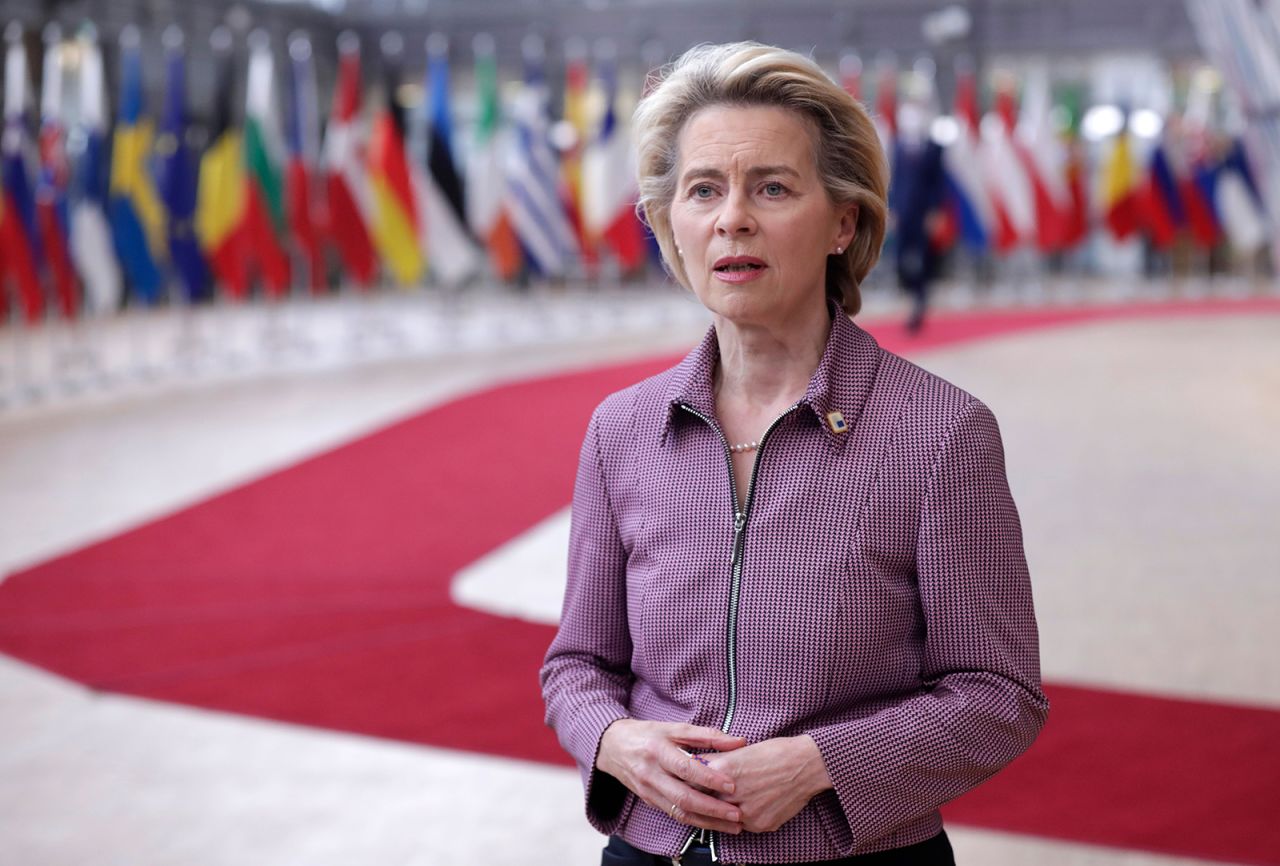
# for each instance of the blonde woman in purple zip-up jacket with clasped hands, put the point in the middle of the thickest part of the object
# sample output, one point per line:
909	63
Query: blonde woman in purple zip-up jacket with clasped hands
798	616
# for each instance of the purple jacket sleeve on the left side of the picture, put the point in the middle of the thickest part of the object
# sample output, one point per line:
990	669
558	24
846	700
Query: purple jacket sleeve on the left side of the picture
587	675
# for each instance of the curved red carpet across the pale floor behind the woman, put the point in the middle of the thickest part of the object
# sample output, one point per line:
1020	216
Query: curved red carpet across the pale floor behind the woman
321	595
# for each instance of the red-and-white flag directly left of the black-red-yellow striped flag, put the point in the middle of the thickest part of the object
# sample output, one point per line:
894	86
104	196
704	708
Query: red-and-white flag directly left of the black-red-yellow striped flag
349	198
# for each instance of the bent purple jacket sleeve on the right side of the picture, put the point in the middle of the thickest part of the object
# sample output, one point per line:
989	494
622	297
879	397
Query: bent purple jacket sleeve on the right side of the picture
981	704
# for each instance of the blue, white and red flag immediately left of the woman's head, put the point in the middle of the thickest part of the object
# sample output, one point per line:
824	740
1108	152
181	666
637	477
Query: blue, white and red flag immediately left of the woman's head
609	180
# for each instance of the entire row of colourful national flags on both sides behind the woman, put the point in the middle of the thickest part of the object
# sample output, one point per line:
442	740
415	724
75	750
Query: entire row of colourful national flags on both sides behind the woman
94	212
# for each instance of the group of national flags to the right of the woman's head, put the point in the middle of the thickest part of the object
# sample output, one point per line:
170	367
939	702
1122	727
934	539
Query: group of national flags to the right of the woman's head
1017	177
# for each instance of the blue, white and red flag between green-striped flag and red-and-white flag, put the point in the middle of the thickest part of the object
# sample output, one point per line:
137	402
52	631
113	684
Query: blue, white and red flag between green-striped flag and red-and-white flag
301	130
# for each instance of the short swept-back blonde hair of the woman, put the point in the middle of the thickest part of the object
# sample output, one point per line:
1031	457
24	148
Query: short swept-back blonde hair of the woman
847	150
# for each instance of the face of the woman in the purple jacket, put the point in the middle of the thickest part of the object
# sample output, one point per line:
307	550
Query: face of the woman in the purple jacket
751	216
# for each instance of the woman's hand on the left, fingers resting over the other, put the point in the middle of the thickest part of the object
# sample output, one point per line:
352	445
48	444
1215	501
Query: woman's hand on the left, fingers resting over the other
648	759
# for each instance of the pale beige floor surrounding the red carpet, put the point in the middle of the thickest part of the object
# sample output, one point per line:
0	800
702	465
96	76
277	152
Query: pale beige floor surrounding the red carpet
1142	456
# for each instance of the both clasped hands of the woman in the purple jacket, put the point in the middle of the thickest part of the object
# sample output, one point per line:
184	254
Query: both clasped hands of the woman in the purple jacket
735	787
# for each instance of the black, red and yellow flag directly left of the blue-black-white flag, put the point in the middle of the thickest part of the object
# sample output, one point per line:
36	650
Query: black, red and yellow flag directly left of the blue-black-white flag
395	218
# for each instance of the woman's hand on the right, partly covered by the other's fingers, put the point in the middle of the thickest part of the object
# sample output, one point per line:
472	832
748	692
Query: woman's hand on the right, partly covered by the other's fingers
774	780
